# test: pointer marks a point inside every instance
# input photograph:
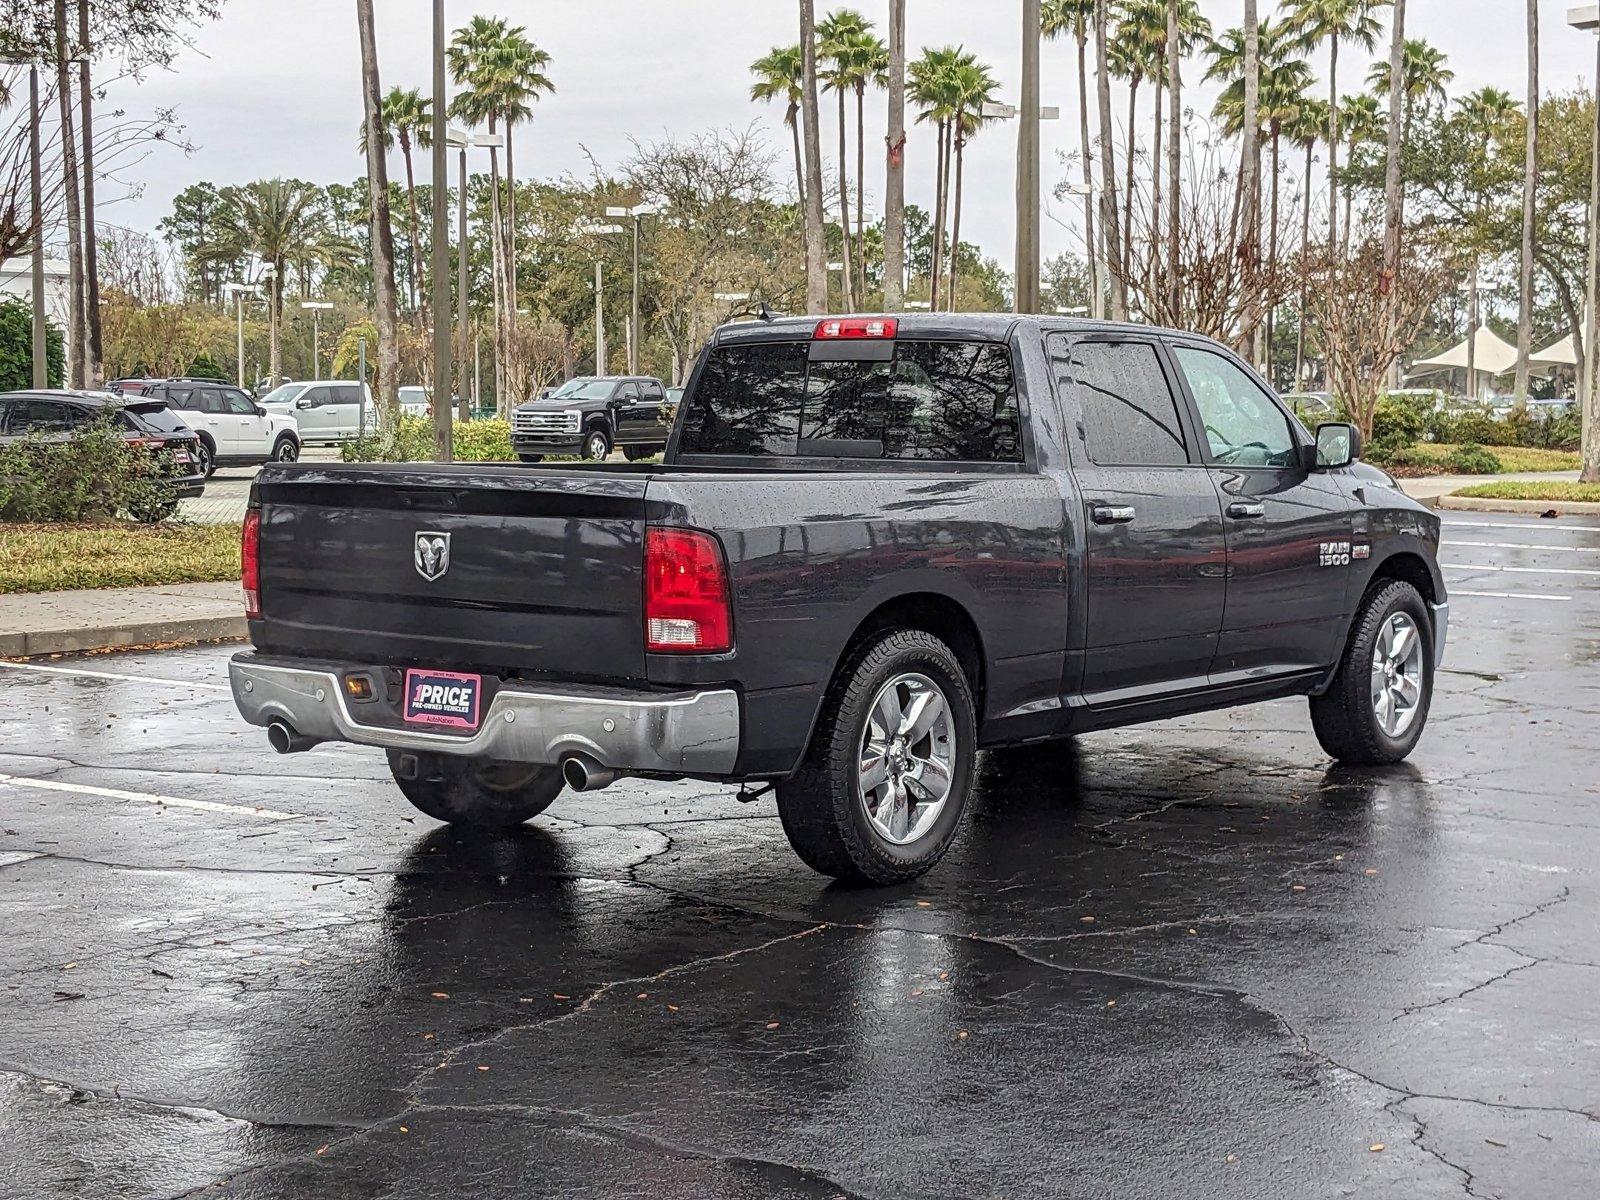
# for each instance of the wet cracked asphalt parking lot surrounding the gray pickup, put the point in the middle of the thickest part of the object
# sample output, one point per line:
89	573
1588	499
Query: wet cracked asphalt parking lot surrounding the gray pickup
1188	959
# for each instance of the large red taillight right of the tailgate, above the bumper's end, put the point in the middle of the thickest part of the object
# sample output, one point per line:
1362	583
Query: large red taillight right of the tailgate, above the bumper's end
686	594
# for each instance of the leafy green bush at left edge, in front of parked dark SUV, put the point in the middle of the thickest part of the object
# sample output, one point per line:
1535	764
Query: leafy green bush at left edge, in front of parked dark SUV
90	476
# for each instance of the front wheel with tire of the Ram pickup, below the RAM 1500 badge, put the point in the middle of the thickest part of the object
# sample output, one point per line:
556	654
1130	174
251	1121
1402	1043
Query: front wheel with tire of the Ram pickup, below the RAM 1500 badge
1377	706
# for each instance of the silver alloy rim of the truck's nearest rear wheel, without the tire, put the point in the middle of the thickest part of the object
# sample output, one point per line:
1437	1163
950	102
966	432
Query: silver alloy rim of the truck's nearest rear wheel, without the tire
906	762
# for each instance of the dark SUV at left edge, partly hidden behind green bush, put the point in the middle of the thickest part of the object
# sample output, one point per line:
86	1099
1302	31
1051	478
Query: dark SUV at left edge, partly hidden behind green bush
58	415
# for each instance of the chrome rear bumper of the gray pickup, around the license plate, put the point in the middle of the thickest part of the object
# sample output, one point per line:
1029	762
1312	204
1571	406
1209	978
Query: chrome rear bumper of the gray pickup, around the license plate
678	734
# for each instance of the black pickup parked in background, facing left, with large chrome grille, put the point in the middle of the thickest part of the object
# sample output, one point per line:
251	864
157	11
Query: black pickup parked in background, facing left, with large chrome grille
591	417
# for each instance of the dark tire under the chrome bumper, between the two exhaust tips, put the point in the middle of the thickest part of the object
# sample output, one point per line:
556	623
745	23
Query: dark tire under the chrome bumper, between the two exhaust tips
476	793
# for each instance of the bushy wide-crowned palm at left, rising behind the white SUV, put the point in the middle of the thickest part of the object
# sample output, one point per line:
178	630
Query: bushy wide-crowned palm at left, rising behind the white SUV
281	222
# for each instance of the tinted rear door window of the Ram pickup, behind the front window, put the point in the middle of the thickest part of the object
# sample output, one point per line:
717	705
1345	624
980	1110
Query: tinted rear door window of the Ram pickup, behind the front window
1129	410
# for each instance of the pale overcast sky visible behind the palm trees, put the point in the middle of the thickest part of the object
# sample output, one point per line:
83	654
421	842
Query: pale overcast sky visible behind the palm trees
273	89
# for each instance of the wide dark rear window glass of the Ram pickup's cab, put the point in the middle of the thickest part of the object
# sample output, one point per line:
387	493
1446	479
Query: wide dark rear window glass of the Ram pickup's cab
943	401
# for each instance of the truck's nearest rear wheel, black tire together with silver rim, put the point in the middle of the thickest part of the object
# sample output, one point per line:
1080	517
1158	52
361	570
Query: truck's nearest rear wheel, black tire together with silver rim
884	785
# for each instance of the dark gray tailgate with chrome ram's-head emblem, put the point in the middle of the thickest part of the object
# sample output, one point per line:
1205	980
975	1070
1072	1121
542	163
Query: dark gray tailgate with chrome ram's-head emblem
542	574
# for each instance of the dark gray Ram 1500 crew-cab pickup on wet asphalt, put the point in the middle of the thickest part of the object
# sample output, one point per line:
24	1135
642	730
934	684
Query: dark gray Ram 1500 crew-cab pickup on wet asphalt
876	546
